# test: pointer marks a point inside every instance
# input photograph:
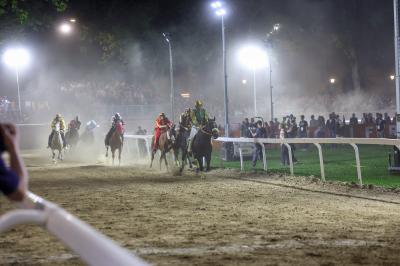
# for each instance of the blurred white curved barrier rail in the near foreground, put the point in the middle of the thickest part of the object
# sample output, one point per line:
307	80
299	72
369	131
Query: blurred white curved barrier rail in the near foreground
93	247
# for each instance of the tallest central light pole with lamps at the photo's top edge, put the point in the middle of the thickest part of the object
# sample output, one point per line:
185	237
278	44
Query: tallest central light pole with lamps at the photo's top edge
221	12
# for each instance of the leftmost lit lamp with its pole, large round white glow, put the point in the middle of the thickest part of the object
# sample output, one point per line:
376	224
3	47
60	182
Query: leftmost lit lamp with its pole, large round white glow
17	58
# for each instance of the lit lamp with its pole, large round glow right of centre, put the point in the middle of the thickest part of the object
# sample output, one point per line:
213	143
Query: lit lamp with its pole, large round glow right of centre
254	58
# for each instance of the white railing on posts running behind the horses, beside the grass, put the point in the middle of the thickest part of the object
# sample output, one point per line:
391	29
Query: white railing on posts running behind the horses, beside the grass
315	141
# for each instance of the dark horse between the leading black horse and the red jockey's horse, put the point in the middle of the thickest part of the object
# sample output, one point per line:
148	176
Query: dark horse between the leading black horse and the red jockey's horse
181	140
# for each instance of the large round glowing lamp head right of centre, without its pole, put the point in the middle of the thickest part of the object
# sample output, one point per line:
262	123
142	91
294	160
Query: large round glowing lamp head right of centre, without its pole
253	57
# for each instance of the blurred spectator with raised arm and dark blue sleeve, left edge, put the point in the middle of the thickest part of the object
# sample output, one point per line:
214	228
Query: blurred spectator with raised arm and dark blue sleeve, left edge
13	180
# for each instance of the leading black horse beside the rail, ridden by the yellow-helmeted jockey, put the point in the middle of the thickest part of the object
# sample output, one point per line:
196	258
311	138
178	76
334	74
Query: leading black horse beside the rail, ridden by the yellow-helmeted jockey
201	144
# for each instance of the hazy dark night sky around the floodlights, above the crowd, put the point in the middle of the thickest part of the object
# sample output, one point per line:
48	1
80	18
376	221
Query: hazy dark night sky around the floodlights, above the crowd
318	39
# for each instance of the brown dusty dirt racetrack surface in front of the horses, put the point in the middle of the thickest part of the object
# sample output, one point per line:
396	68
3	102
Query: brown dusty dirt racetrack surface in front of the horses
221	218
